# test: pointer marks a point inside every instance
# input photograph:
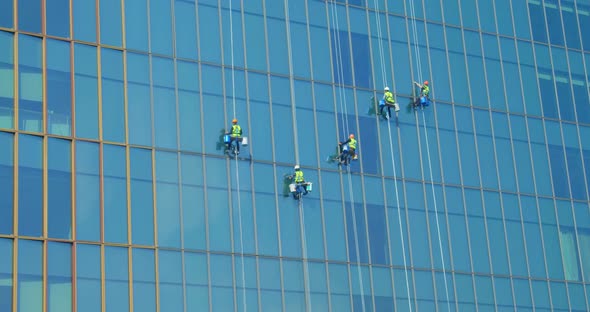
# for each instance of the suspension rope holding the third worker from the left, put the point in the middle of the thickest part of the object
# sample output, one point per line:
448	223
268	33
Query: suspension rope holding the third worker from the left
346	127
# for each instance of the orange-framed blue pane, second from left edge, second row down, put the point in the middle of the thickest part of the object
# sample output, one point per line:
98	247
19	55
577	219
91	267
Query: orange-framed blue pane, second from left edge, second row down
30	62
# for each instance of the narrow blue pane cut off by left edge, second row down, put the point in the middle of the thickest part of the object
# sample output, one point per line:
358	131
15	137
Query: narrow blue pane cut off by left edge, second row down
7	72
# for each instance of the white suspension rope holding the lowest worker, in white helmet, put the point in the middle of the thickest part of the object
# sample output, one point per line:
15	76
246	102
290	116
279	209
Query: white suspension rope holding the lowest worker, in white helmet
296	140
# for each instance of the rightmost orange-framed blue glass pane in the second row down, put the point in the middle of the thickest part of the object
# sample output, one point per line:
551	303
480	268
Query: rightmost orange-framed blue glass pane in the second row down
113	96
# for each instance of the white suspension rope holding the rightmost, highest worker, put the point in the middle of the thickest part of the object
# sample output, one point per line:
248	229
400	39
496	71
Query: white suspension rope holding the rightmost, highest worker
419	63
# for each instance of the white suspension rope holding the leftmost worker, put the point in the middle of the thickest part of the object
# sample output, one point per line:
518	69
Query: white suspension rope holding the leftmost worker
231	31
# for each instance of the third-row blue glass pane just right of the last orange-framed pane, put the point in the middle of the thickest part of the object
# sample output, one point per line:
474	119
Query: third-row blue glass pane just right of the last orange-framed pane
168	199
